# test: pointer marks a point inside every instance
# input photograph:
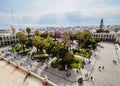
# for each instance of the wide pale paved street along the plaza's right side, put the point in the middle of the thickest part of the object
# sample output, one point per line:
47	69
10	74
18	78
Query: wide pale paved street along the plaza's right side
110	75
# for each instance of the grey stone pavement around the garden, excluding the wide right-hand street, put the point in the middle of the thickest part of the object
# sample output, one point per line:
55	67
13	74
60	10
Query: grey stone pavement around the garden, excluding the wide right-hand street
53	74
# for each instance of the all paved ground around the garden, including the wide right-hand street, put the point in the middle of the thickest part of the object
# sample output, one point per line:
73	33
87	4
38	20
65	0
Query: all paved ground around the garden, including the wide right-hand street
109	76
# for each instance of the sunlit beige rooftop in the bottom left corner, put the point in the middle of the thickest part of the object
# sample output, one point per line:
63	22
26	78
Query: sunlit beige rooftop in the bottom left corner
10	75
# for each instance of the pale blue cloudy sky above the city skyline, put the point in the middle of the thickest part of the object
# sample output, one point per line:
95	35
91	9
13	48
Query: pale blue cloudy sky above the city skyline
60	12
